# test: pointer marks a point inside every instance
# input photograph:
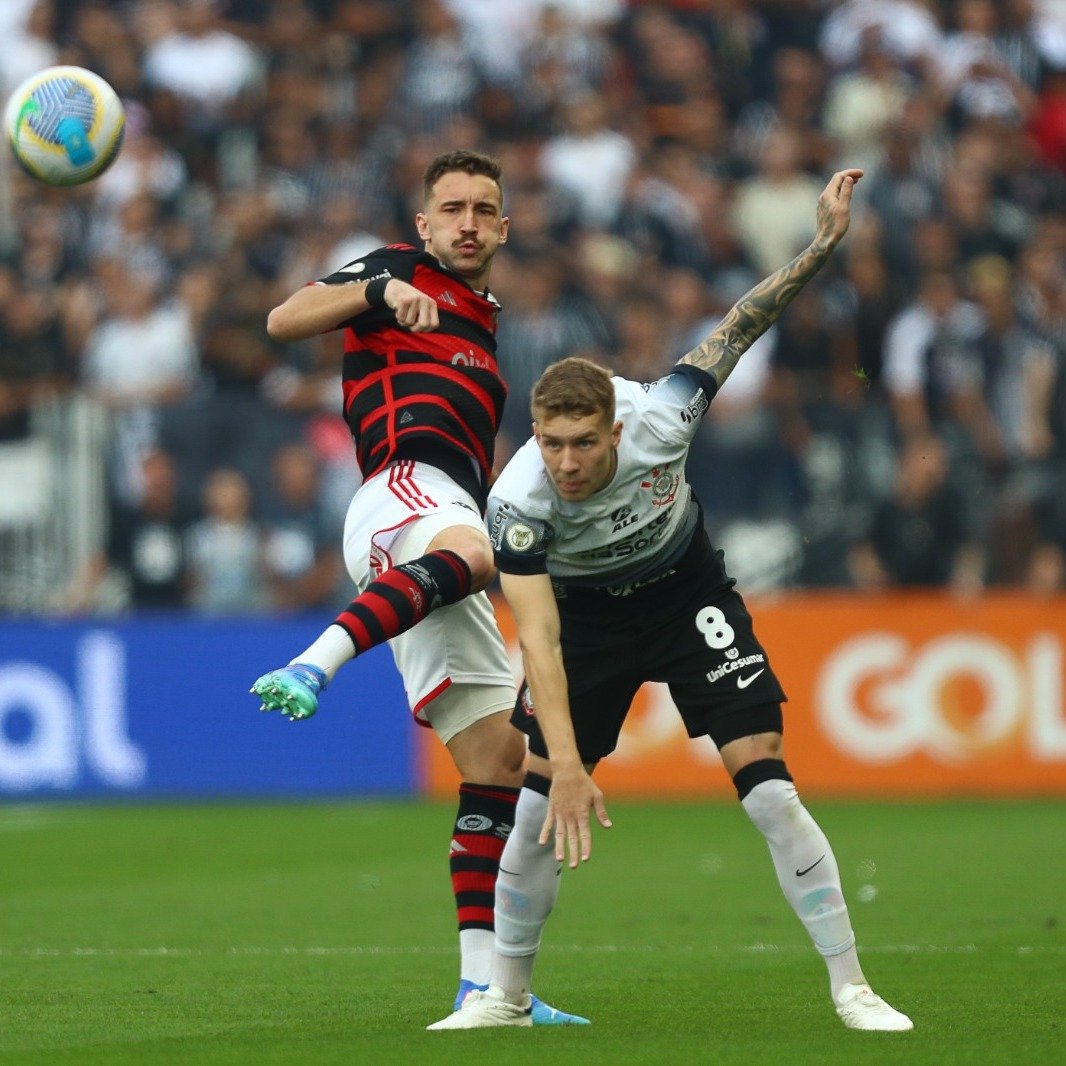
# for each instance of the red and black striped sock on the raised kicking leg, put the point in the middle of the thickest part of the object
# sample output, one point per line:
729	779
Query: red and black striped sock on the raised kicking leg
403	596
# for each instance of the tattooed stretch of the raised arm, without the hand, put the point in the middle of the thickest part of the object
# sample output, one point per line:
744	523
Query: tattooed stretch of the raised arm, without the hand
754	314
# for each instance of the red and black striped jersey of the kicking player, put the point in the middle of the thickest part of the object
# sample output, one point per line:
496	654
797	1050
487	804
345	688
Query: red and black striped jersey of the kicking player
431	397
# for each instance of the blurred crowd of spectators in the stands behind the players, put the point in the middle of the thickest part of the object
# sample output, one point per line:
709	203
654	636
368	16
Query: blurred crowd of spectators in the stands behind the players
903	425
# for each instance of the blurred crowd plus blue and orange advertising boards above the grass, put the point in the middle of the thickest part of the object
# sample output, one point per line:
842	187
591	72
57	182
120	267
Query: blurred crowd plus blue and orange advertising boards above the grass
886	470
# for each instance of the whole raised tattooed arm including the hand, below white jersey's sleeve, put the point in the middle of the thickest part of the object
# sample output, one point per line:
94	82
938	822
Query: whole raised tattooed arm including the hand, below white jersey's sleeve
753	315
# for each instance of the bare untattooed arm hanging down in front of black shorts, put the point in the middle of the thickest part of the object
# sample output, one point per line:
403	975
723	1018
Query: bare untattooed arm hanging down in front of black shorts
573	793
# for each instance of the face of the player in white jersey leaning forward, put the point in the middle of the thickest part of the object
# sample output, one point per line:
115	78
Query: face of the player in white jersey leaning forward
578	453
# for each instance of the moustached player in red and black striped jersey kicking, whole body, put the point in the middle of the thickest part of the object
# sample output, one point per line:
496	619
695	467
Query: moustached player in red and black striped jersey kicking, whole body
424	398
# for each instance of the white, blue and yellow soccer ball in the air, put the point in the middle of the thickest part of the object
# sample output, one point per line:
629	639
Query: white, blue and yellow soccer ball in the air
66	125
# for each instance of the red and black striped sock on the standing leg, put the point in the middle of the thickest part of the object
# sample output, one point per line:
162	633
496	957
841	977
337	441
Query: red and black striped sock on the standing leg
486	819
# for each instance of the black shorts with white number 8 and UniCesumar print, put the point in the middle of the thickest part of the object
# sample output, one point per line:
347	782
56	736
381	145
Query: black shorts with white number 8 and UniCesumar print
689	629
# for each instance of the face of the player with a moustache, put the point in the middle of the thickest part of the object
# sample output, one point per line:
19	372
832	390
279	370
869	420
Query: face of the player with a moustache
463	224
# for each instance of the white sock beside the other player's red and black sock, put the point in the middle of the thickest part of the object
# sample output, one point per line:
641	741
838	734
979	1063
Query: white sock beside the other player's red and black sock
526	893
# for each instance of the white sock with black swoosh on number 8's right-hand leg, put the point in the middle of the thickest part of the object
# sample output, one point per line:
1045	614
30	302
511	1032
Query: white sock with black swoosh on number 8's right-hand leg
809	876
